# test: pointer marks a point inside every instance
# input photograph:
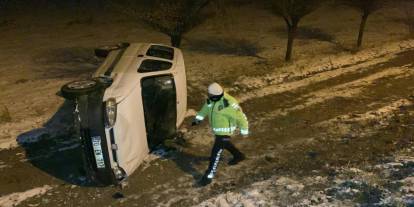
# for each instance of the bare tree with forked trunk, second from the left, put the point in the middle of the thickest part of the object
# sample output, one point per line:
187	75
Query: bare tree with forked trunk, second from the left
292	11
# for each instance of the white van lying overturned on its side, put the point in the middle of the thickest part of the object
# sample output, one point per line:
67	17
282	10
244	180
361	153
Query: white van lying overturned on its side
135	100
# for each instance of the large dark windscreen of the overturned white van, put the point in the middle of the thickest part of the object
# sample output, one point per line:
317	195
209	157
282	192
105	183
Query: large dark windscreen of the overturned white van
159	101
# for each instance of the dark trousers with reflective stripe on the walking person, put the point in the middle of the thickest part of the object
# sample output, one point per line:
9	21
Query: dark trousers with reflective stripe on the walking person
220	143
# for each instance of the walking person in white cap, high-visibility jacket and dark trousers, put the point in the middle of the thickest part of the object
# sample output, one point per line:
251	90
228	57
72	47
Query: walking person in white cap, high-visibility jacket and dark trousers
225	116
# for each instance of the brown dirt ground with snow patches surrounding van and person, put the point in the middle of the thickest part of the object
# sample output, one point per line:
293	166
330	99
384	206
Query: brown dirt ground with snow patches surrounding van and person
333	128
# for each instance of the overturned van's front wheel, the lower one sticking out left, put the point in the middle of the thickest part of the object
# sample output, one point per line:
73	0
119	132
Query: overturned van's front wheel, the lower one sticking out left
79	88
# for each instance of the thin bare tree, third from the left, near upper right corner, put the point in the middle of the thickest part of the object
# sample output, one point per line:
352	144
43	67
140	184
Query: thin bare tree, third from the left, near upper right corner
366	7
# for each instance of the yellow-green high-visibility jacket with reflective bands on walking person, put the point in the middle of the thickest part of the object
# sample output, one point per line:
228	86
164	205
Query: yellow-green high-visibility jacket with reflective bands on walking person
225	116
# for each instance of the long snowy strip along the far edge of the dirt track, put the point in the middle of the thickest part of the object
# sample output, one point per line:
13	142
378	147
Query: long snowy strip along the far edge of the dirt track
338	64
